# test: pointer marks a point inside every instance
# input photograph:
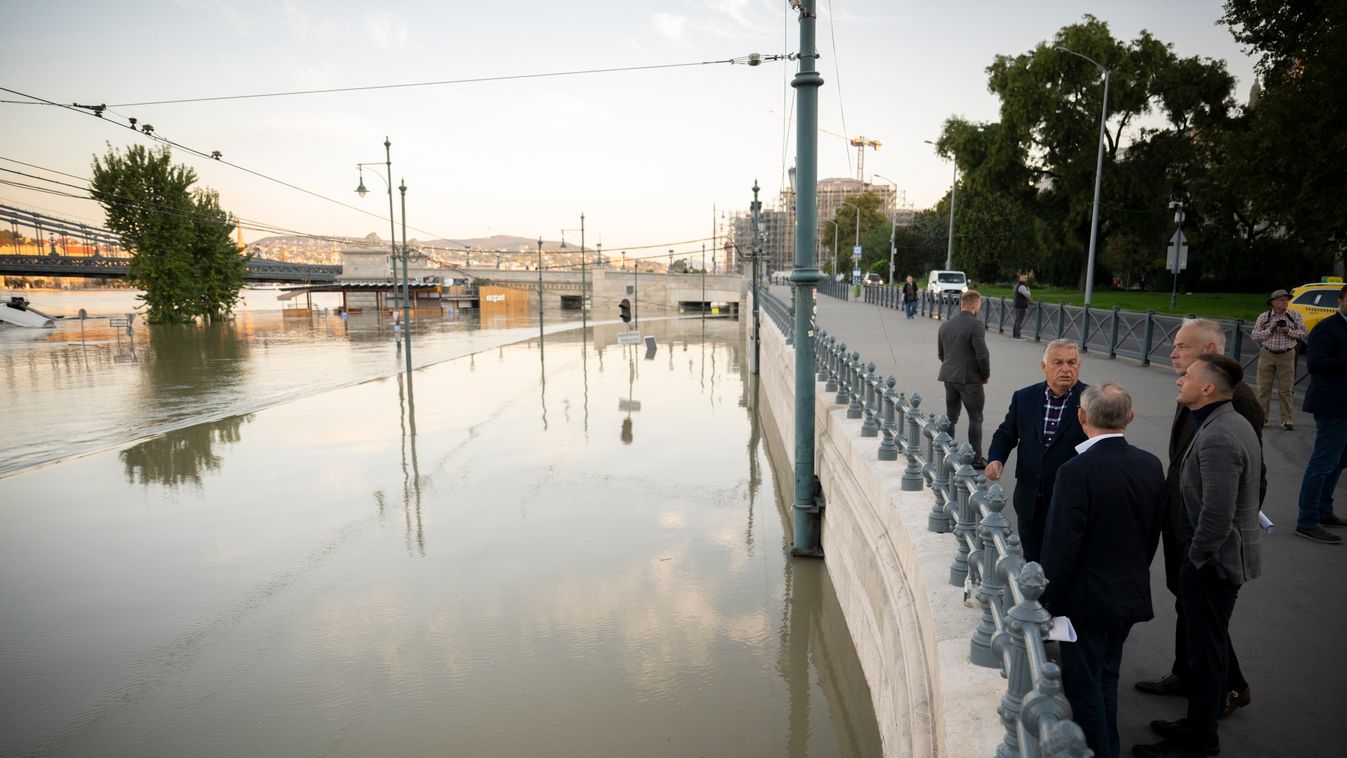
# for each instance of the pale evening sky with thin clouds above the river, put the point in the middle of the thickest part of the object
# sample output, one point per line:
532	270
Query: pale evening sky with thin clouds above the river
653	158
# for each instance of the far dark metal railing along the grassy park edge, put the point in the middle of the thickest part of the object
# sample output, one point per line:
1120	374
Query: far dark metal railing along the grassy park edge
1113	332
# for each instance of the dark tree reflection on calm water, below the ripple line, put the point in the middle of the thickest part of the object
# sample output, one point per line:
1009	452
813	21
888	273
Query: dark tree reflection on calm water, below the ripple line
181	457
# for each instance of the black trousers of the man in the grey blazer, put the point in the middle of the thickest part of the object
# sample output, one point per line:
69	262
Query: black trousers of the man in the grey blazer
1208	602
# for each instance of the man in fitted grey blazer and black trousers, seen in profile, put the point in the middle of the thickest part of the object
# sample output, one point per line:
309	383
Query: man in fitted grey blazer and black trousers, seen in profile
1220	484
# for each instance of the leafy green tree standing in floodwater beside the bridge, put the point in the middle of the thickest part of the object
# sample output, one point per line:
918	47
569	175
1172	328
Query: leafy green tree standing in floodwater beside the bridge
183	255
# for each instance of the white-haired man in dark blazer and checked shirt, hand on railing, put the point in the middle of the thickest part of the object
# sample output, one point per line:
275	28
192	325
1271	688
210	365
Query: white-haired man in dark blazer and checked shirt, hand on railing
1042	423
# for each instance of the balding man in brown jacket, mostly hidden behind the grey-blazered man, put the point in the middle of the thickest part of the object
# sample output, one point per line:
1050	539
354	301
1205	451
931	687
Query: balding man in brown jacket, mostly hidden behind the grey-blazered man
1194	339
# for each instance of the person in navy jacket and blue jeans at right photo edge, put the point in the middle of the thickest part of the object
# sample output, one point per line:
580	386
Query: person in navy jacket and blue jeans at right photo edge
1327	401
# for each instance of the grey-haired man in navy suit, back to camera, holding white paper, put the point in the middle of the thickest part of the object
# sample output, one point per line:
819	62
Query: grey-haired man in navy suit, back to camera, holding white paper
1103	532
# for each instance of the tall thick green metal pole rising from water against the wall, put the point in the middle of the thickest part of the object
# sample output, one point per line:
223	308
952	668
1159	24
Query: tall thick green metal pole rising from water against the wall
803	281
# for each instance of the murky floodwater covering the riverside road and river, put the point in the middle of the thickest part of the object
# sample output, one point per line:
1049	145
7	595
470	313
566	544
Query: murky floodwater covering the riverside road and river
560	549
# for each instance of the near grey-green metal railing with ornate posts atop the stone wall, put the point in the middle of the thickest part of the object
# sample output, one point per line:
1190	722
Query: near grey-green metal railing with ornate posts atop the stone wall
988	563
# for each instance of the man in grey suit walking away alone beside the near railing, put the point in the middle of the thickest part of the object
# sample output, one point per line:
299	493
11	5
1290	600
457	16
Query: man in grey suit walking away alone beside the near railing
965	368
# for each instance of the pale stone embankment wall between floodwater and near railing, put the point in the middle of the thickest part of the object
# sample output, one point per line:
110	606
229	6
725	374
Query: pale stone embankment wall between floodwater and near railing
911	628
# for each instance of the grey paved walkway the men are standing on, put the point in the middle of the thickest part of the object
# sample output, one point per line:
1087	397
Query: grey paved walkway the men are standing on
1287	625
